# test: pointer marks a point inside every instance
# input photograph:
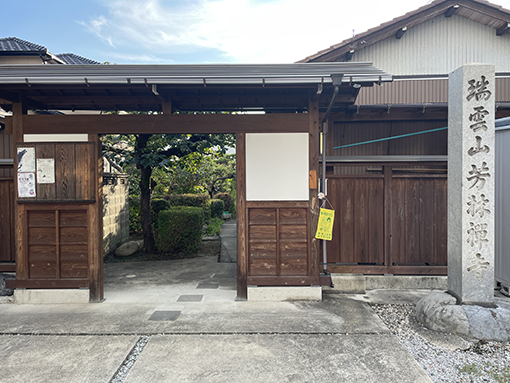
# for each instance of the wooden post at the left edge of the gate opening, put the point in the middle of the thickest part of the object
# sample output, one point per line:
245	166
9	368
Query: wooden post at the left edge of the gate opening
96	278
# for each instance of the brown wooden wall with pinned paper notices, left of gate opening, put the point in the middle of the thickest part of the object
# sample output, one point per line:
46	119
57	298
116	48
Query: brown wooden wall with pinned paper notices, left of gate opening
59	229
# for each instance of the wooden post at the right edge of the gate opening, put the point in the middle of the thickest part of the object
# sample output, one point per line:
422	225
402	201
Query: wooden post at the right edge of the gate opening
242	253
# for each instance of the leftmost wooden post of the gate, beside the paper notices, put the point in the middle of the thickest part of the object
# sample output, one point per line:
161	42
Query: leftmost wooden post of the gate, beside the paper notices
20	237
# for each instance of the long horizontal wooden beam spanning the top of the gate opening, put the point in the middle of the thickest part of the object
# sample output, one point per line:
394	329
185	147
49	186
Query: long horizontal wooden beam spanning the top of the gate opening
165	123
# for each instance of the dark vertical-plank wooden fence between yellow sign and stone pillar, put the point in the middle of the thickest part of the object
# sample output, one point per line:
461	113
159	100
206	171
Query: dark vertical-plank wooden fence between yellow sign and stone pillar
388	223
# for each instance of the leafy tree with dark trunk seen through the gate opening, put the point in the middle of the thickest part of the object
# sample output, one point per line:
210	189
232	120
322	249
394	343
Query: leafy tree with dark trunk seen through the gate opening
147	157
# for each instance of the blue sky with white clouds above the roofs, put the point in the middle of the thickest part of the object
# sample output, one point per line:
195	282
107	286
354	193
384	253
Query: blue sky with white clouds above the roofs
197	31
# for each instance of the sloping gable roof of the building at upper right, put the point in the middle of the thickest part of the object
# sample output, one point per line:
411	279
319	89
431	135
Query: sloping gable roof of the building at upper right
480	11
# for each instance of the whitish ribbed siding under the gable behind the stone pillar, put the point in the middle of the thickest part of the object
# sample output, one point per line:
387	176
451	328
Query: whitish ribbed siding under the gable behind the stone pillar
439	46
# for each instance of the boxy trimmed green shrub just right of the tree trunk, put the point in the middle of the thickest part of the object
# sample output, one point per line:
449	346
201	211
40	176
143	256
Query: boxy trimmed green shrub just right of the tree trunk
180	229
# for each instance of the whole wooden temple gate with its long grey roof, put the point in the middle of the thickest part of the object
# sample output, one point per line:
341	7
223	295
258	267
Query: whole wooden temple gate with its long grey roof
58	238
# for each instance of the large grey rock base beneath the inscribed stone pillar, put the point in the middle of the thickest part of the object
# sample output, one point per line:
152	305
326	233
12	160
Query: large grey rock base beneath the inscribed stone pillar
440	312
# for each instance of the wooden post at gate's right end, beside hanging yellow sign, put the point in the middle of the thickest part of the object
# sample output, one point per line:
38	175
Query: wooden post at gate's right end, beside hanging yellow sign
313	142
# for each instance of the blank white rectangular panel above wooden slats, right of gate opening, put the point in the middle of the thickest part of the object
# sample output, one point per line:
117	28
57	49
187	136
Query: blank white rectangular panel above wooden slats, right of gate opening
277	167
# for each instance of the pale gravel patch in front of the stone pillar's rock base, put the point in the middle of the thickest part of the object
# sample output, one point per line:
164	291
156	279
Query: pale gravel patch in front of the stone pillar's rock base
447	357
